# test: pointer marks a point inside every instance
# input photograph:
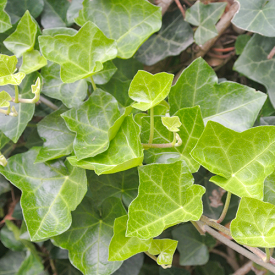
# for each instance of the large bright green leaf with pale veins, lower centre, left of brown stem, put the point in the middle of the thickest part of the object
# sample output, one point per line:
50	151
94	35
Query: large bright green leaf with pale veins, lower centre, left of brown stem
166	197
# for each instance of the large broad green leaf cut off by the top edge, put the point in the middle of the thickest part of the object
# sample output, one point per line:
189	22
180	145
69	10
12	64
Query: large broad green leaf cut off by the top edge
140	20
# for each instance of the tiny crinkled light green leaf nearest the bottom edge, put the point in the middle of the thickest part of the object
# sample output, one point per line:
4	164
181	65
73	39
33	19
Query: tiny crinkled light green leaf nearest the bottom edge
165	250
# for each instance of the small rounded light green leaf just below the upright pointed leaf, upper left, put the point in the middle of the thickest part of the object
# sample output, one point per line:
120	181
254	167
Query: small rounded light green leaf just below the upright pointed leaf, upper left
32	61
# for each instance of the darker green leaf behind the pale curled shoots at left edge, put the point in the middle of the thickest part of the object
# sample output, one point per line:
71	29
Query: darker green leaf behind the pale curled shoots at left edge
13	127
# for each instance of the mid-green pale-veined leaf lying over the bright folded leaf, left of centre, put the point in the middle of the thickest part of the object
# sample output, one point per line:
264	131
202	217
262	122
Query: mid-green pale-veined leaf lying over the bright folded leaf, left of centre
95	123
